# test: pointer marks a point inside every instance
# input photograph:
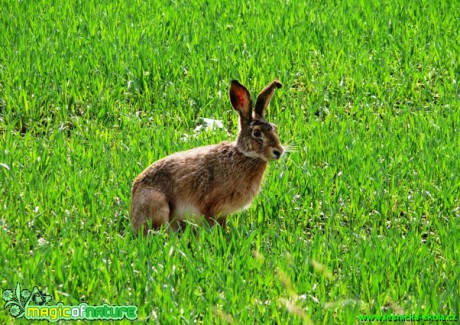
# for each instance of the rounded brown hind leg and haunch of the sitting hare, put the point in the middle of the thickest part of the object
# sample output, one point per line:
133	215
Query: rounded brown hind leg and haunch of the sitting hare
149	208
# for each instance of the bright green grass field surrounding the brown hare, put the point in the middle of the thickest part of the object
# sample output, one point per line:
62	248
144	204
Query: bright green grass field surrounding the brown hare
362	217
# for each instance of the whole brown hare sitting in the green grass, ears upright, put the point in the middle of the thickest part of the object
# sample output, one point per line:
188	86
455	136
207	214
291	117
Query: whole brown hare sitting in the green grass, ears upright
212	181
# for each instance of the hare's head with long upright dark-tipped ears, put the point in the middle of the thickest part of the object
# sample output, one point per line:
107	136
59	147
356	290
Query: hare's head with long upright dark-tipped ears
257	137
